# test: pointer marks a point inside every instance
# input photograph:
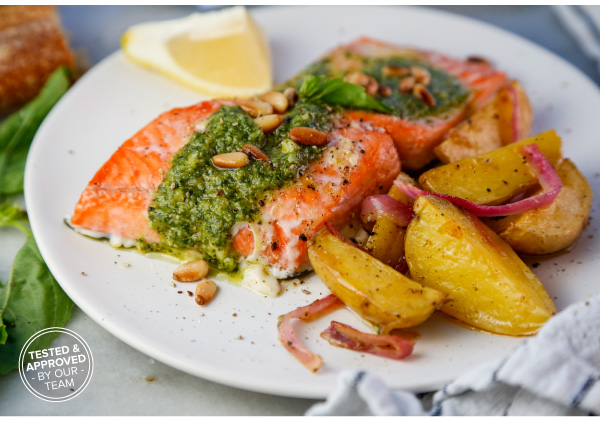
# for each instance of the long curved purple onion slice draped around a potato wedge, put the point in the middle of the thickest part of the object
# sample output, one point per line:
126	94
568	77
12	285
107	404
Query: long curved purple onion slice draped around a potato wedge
549	180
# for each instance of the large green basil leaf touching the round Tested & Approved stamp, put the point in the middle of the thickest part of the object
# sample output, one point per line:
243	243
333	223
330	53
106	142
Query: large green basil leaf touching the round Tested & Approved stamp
31	301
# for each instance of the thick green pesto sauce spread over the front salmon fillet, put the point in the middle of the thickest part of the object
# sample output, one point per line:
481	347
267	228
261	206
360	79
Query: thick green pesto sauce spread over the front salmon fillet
198	203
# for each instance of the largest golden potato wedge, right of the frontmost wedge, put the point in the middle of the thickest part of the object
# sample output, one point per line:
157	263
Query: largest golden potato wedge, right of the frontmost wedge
490	287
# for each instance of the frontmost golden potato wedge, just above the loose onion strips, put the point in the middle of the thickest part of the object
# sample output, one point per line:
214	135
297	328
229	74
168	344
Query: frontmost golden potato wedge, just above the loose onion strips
372	289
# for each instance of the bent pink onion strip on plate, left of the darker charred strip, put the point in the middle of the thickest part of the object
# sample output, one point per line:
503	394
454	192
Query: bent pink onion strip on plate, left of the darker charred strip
288	337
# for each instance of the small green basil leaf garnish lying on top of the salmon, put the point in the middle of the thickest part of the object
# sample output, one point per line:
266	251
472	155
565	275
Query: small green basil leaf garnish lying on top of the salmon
338	91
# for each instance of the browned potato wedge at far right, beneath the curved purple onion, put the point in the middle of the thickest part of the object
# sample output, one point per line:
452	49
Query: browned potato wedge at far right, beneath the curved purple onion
555	227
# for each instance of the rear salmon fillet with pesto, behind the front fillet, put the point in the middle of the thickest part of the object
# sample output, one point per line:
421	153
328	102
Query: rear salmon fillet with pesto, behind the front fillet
458	88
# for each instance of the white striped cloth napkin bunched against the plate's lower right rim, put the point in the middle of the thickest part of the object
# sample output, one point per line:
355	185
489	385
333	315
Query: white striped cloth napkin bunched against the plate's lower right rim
556	372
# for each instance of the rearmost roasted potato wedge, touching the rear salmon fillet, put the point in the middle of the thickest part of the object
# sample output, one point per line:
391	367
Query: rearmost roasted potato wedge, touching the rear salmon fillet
489	128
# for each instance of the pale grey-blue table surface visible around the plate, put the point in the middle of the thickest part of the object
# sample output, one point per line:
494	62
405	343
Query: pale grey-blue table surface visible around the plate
127	382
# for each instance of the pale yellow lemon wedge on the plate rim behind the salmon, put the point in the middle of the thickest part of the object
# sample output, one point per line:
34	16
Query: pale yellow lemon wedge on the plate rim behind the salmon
222	53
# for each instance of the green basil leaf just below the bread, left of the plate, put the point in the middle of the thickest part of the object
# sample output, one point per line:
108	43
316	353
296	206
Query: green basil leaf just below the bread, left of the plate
17	131
